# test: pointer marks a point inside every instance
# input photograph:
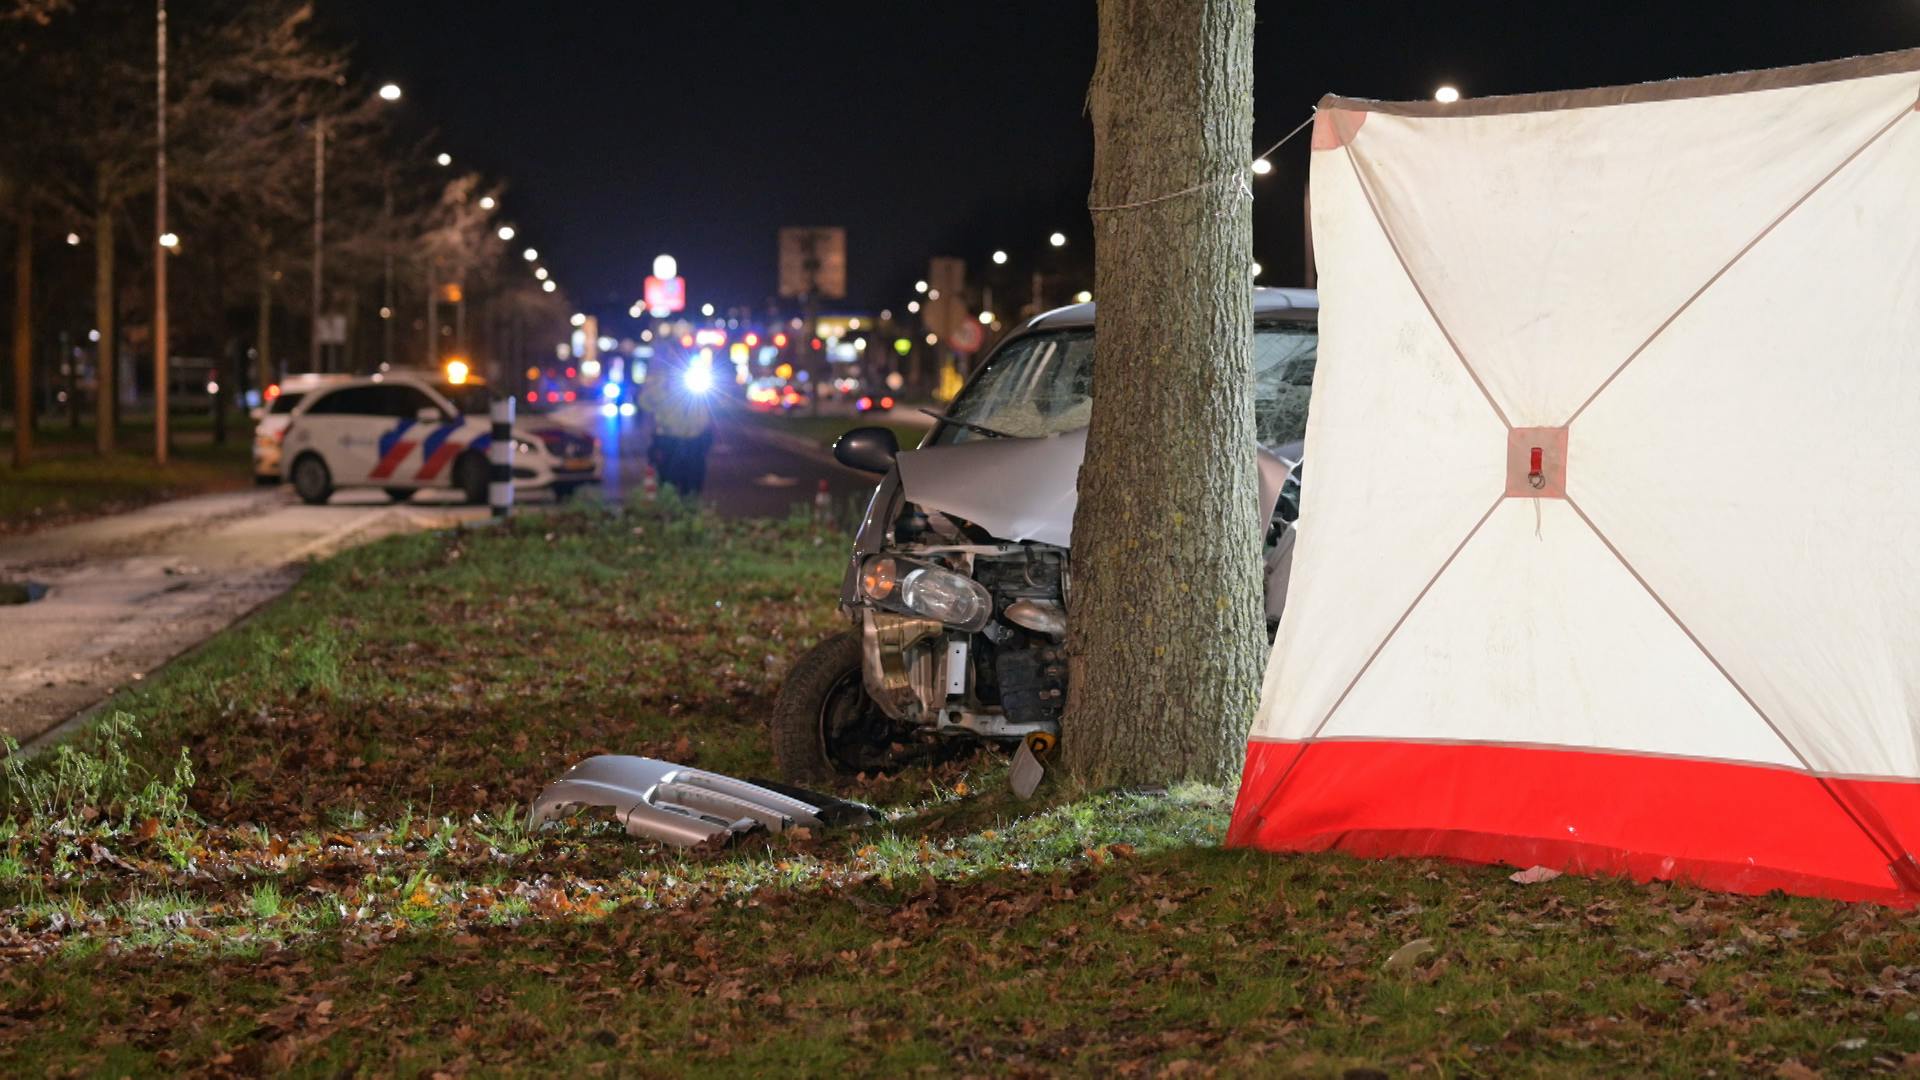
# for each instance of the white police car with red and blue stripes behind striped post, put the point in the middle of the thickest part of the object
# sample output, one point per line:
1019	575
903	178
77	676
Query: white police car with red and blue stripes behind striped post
404	433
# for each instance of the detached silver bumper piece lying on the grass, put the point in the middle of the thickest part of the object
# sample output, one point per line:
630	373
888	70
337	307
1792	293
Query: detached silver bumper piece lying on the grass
673	804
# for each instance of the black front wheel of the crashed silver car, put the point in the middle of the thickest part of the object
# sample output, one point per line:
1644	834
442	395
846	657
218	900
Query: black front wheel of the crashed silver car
827	725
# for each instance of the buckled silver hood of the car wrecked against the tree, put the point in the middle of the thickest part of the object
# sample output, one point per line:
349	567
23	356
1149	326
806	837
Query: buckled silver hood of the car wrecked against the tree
1026	489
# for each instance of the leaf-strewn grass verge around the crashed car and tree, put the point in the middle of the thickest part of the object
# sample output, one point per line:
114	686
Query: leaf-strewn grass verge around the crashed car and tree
339	875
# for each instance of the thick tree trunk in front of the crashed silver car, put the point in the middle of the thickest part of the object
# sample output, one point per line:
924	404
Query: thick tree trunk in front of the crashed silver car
1168	641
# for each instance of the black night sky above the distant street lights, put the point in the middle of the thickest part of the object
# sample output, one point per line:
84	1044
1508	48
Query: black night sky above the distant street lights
625	128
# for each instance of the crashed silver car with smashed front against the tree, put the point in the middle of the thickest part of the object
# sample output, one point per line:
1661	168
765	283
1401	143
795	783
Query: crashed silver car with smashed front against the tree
961	585
